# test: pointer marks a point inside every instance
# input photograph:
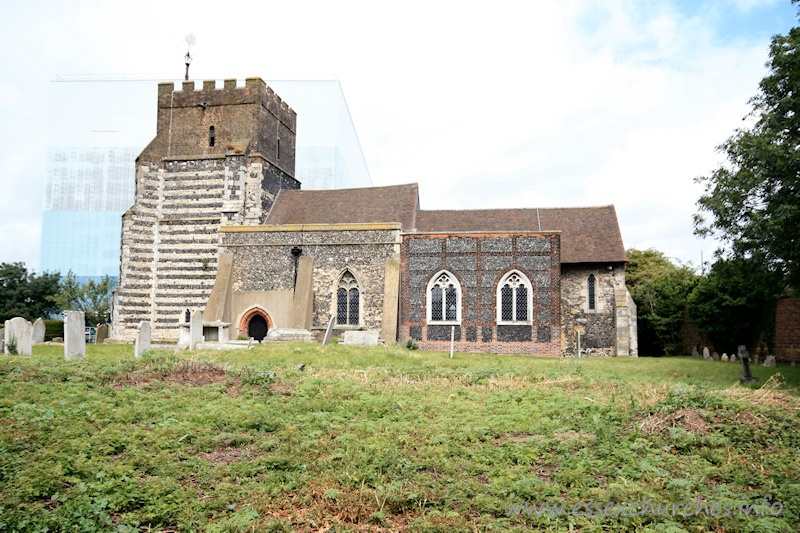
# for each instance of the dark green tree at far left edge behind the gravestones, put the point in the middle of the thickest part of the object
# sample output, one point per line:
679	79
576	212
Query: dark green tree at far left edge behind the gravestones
25	294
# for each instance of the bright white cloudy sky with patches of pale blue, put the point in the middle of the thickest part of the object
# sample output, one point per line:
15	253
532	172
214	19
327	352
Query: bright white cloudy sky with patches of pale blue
546	103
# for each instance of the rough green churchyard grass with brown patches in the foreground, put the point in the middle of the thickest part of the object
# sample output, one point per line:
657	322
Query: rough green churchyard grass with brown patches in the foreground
301	437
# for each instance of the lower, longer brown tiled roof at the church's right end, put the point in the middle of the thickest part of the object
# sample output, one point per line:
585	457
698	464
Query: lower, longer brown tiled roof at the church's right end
588	234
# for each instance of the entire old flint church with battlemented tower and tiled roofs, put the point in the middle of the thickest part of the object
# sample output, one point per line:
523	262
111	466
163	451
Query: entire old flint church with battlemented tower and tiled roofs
220	225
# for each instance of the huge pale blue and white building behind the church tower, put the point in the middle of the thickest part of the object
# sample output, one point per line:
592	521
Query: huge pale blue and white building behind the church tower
98	128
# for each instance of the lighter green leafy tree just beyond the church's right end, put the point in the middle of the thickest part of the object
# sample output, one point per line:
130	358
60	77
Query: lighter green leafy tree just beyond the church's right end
660	289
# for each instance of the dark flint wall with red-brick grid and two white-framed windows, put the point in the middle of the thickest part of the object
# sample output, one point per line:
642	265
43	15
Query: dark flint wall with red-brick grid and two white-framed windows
479	261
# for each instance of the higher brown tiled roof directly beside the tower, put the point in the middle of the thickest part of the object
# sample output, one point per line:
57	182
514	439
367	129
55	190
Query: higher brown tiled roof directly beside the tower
396	203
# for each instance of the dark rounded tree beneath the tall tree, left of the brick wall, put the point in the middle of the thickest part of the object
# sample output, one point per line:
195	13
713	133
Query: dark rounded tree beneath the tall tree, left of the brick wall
735	303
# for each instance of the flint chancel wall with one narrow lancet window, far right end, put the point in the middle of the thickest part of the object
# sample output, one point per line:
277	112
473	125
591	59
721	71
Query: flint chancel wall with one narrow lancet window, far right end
597	326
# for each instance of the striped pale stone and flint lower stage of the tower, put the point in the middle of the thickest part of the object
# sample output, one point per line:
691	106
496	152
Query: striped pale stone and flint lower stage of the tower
170	235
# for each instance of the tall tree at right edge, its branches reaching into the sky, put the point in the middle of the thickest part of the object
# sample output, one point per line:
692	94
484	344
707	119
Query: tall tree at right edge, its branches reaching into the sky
753	200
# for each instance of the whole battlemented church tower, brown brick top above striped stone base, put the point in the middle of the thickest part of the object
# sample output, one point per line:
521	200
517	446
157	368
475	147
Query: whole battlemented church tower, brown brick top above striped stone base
219	158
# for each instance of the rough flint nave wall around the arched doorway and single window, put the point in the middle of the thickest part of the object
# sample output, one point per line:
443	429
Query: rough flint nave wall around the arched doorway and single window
263	262
